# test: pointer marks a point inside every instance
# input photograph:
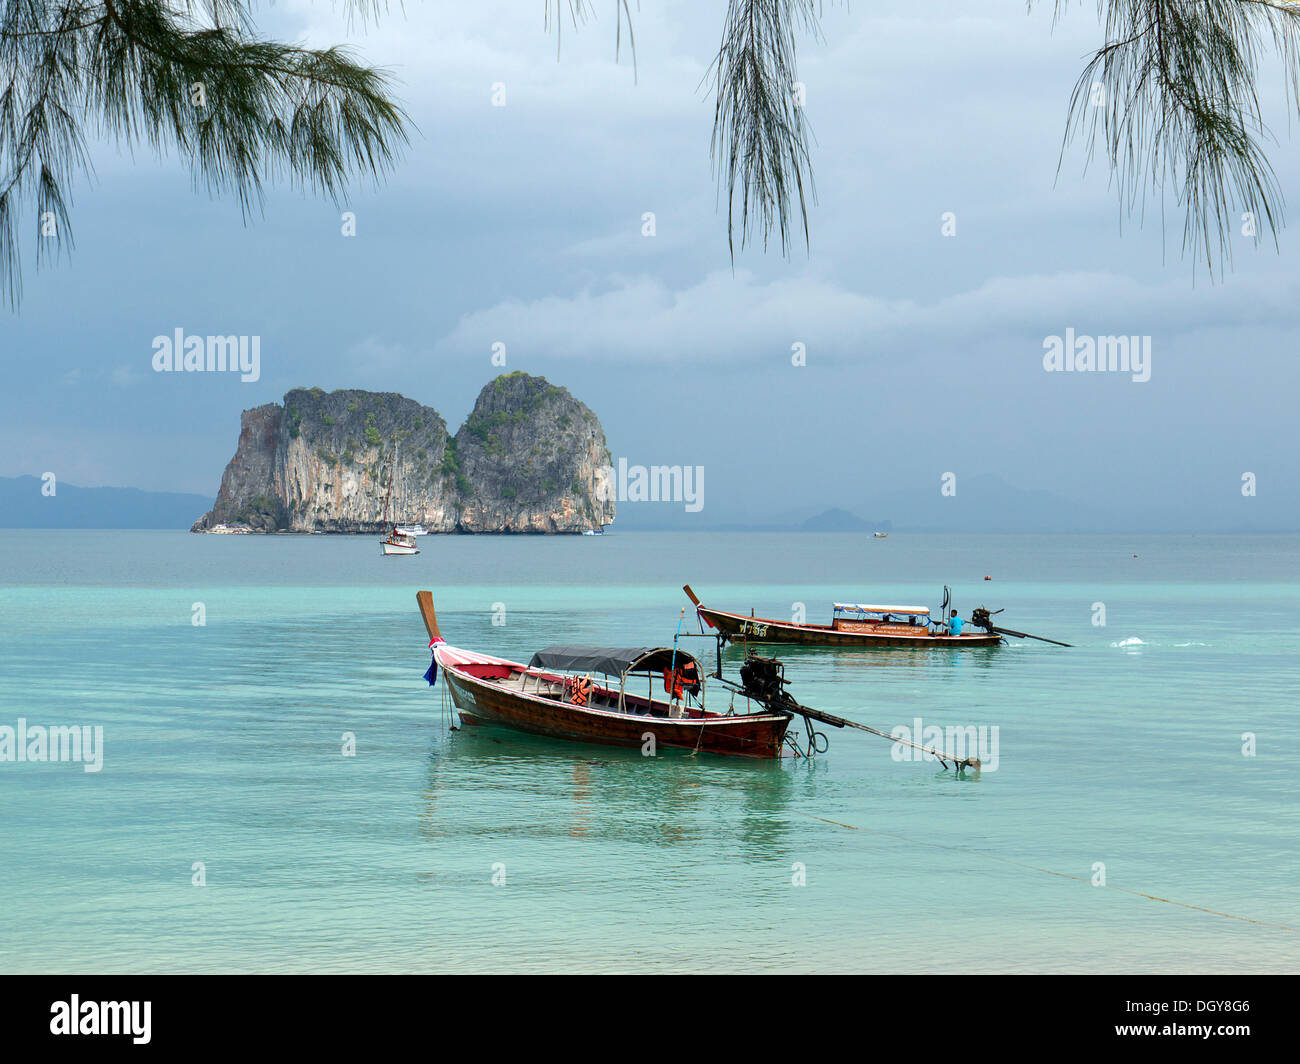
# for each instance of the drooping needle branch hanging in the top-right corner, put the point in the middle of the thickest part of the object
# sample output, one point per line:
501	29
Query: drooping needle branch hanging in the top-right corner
1171	101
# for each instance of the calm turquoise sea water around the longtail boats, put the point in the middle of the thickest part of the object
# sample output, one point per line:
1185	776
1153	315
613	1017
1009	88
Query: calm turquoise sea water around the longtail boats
223	746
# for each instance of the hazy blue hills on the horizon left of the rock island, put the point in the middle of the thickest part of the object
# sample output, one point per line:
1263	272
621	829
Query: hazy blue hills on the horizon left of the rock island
24	507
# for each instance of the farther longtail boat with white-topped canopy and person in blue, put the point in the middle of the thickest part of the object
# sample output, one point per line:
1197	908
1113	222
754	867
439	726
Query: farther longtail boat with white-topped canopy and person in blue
855	625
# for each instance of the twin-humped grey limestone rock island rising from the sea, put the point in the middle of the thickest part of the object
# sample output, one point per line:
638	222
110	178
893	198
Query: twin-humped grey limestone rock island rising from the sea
527	460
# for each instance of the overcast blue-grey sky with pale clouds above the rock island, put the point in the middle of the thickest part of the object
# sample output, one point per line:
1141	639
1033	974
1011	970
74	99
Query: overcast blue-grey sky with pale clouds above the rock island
523	224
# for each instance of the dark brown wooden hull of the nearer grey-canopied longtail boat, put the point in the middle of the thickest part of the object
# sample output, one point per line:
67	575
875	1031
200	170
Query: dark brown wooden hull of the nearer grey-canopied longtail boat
483	702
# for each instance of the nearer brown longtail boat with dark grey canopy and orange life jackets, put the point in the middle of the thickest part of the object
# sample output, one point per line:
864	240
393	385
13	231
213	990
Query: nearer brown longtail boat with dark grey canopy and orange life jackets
583	694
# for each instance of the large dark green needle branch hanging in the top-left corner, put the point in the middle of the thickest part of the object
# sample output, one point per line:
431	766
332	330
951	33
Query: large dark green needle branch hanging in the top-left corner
184	75
